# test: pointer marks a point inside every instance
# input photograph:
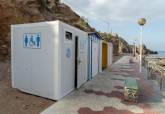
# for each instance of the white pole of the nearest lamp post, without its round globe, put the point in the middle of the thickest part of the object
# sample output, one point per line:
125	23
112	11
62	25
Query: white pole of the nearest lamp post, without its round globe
141	43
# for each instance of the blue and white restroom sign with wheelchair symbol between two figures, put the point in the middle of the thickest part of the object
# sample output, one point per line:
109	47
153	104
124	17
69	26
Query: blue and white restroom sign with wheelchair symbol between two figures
32	40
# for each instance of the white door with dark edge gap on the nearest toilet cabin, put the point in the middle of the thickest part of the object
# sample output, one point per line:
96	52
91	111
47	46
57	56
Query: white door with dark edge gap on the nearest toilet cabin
80	61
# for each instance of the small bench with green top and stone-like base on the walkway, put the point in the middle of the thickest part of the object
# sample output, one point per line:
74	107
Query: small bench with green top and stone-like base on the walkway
131	90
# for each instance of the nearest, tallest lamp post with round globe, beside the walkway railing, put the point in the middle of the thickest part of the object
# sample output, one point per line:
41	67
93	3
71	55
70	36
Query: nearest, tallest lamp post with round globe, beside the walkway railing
141	22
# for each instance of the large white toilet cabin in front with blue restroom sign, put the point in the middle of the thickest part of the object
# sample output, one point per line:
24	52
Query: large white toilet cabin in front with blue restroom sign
49	59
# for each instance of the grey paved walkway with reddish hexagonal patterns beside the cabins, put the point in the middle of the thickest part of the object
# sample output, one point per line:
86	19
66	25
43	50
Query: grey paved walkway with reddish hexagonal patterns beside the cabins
104	94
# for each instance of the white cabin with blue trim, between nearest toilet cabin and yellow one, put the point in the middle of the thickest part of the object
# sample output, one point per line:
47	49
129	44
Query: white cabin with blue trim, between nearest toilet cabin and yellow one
94	54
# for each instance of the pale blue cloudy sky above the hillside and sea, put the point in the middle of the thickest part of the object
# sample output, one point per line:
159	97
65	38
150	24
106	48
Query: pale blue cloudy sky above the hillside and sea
121	17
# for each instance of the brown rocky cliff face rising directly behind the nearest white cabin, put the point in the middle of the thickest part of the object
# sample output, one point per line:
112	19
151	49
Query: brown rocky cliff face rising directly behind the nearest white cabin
28	11
